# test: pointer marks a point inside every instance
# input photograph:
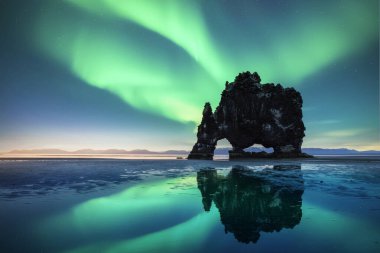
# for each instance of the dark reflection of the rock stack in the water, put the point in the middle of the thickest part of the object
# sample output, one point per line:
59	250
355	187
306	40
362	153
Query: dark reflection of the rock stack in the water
250	202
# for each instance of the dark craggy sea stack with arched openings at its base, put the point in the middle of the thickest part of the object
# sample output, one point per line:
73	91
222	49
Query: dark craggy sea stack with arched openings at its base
253	113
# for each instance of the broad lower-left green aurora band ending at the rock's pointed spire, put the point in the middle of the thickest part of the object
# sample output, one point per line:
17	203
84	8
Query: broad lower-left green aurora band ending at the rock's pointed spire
141	77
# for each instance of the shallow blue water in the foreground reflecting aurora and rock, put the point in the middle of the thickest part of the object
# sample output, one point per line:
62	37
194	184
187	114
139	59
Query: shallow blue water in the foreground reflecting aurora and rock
89	205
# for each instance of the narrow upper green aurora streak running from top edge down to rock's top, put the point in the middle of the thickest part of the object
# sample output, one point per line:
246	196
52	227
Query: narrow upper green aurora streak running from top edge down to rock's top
179	21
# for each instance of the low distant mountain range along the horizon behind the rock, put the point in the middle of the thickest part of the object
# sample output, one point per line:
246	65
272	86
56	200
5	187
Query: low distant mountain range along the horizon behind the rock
218	151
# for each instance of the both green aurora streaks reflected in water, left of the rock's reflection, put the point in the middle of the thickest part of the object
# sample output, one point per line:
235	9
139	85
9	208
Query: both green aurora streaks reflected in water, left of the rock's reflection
140	205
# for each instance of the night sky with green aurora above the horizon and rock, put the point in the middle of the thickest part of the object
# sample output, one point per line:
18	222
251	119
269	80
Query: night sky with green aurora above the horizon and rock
135	74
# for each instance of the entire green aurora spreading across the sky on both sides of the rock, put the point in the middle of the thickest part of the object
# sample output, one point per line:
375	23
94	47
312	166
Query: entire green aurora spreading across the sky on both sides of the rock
116	59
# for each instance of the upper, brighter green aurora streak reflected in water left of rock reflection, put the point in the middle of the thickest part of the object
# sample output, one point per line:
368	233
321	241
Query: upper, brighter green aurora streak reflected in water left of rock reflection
132	206
